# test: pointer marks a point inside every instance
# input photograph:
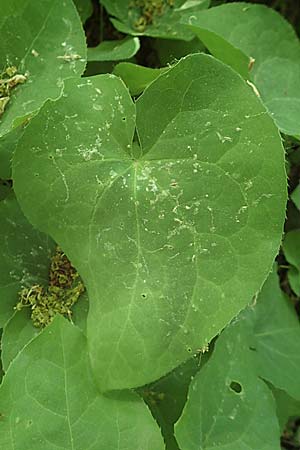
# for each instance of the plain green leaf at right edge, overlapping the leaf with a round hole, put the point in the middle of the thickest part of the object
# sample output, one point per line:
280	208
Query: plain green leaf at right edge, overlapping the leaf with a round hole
277	338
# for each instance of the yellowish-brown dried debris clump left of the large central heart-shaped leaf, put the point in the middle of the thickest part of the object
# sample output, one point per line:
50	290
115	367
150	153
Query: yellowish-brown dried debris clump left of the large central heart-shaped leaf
65	288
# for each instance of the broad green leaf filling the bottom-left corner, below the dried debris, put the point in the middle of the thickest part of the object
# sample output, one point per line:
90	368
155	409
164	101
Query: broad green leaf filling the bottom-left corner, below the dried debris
49	401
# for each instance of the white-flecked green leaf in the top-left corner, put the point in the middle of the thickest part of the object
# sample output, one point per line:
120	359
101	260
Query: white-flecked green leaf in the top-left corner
45	42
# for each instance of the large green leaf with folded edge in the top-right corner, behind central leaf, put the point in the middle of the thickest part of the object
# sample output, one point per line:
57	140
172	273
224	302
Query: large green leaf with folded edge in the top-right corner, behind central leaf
237	33
